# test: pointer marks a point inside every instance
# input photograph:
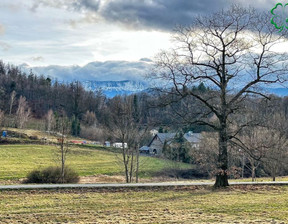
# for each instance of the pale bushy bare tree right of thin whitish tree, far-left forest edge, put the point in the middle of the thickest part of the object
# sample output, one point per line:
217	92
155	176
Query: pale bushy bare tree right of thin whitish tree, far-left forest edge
23	112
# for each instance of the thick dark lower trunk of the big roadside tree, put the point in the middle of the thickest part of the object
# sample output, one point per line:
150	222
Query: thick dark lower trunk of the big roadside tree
222	176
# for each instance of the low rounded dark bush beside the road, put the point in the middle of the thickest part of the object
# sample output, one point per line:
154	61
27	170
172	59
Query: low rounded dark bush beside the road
52	175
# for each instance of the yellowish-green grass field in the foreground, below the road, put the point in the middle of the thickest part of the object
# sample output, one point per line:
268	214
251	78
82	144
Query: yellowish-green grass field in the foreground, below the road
261	204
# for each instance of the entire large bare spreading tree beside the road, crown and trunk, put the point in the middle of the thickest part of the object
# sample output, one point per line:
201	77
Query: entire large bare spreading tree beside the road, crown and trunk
234	53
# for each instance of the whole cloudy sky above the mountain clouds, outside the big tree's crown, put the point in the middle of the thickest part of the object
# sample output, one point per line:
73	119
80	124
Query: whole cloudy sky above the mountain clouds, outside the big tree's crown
75	32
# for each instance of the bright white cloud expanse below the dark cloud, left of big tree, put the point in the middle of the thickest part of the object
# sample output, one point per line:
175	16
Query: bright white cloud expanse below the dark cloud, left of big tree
47	32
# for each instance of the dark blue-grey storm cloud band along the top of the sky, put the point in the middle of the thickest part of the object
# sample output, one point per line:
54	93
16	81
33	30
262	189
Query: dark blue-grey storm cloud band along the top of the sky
150	14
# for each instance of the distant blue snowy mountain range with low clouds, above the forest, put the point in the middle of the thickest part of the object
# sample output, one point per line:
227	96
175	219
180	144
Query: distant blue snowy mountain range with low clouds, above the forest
112	77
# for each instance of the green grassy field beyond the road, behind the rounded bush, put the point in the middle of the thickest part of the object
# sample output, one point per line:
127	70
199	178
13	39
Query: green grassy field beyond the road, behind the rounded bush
18	160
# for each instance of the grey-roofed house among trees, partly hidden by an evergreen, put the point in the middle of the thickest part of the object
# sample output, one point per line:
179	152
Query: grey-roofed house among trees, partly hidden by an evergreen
157	143
